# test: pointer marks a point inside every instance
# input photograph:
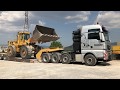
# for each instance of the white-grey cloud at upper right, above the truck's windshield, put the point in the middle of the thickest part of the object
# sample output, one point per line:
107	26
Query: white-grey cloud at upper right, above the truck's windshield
110	19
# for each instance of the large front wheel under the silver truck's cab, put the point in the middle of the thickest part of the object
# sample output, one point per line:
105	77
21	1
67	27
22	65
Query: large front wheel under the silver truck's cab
90	60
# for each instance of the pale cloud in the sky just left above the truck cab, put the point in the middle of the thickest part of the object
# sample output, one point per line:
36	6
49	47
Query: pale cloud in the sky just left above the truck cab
79	17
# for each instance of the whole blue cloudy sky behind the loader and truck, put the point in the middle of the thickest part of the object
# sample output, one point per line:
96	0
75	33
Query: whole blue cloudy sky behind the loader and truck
64	22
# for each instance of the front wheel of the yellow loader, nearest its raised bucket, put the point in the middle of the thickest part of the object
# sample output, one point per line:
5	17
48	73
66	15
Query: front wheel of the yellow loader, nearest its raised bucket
25	52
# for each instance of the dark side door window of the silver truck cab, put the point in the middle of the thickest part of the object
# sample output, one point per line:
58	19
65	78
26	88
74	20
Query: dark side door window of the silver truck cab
94	34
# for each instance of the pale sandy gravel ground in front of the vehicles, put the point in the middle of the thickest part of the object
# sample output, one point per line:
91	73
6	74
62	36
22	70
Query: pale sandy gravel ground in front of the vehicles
24	70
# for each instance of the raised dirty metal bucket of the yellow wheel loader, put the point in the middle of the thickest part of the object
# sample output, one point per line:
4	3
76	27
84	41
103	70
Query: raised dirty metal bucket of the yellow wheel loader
44	34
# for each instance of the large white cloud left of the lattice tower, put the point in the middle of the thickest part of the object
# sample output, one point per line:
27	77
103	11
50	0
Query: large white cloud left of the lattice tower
8	19
